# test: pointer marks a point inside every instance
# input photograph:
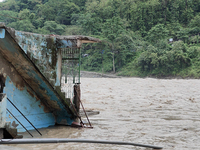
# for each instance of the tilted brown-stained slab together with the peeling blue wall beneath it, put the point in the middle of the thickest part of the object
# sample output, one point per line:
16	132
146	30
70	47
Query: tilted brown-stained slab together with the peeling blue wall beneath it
28	89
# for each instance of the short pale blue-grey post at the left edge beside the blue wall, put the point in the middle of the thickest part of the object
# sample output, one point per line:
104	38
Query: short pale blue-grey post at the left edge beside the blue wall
3	106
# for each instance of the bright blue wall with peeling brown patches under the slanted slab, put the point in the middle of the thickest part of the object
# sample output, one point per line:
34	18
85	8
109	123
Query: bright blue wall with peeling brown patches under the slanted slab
25	99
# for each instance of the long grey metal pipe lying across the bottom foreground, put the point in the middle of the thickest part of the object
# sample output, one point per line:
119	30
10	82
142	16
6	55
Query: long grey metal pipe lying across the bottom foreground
64	140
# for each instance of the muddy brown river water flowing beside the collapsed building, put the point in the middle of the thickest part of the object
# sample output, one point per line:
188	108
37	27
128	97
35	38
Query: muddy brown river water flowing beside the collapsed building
161	112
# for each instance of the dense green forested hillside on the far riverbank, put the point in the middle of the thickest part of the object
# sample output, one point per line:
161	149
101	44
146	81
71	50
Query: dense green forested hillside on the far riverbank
139	37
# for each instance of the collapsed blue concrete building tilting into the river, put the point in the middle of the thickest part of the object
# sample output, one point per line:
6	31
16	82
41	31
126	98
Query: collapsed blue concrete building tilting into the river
32	69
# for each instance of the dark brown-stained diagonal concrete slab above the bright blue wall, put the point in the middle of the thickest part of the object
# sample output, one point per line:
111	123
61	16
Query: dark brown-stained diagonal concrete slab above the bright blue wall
32	76
